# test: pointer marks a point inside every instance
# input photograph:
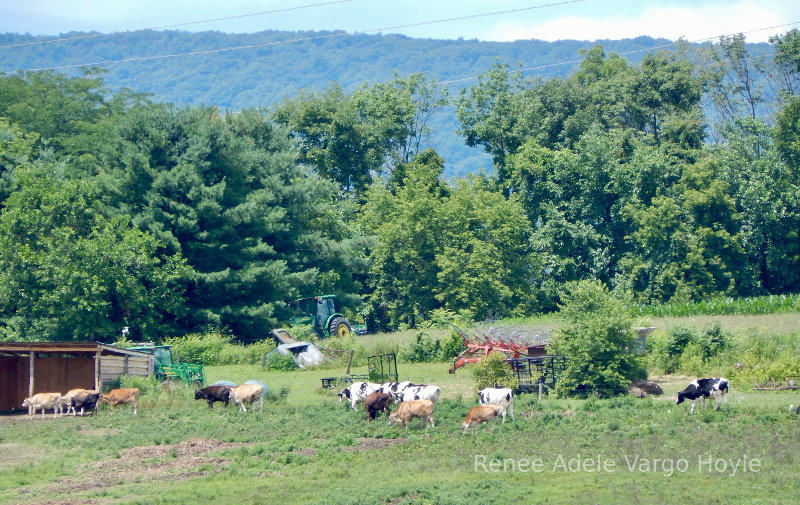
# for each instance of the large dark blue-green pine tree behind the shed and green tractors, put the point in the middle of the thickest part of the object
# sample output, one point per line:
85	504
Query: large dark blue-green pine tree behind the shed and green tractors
226	192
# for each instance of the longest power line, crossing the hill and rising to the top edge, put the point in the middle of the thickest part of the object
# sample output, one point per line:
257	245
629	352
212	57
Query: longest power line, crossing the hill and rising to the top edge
265	44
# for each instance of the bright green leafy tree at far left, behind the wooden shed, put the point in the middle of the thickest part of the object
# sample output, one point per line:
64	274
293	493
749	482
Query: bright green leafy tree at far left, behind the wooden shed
68	273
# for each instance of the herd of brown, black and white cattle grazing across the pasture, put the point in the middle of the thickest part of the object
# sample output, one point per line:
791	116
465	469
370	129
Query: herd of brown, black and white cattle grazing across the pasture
414	401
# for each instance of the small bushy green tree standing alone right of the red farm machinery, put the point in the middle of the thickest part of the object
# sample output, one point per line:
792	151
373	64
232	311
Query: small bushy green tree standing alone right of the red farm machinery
596	339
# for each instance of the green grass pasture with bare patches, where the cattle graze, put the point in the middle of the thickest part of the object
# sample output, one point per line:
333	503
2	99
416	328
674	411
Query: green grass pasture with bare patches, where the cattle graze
307	447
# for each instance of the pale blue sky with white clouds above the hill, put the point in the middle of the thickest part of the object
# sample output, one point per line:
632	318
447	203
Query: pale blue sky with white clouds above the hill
487	20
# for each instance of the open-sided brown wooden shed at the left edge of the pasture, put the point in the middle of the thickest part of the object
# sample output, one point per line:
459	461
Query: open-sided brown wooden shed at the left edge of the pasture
27	368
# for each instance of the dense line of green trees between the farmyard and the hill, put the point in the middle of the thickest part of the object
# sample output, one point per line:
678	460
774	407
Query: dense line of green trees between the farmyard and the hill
671	180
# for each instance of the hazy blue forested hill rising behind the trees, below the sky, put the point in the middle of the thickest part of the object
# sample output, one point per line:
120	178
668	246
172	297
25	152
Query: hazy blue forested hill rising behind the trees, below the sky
275	64
